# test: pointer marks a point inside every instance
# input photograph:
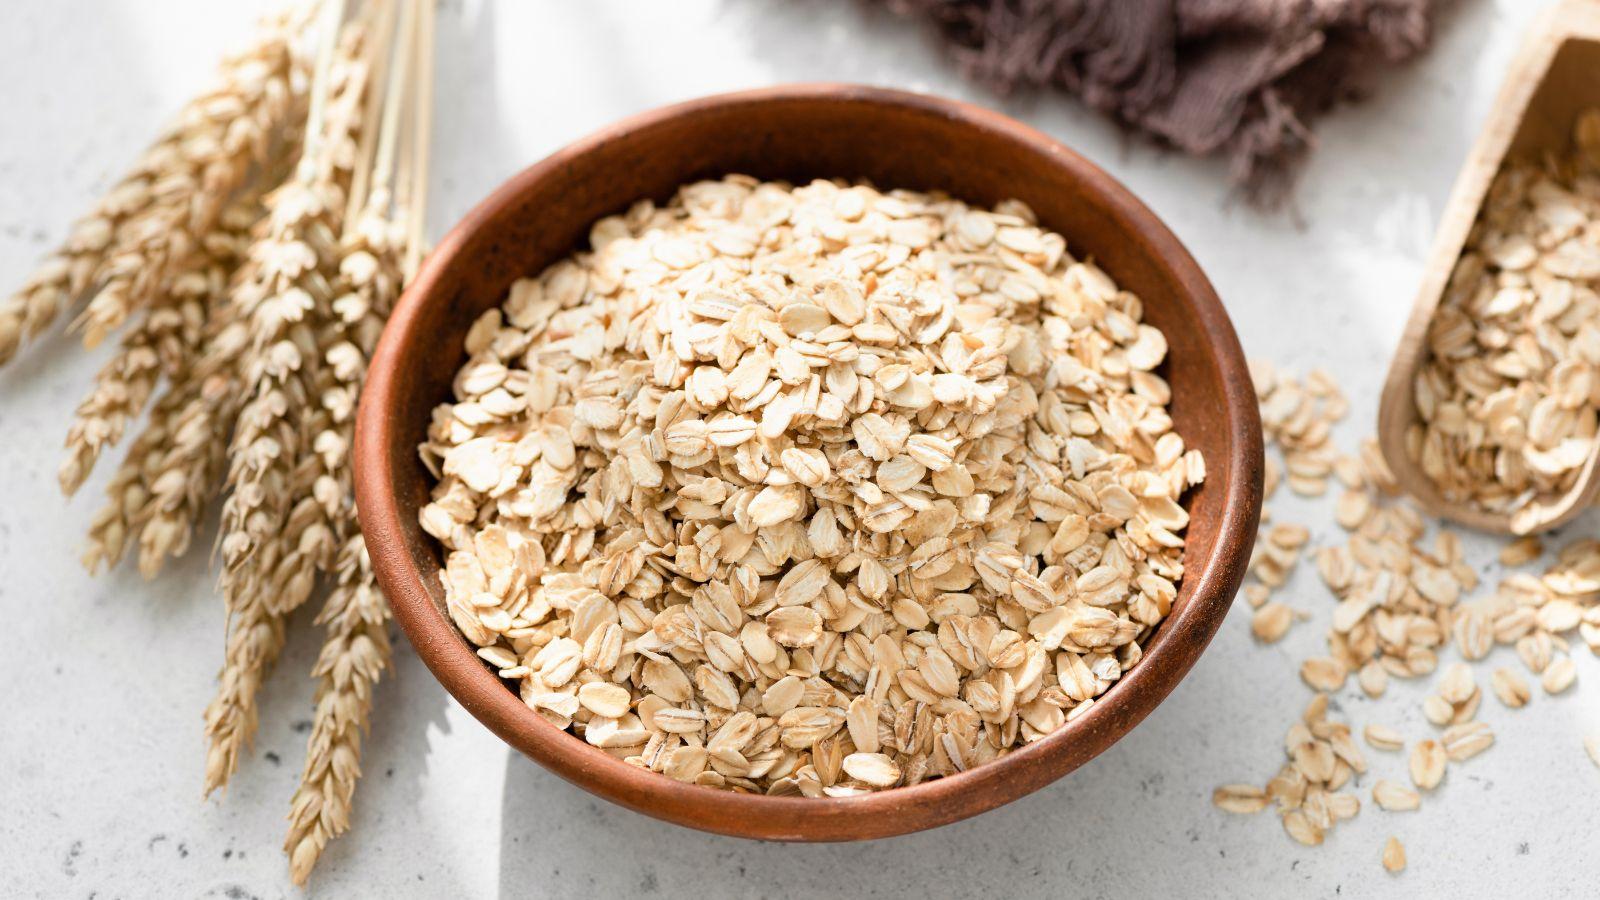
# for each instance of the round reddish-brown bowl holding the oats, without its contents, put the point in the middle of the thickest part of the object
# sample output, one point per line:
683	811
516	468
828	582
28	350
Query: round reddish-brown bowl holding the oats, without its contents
895	140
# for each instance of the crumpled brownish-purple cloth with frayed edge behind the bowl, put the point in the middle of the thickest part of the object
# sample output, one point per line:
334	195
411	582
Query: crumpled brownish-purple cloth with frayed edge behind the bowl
1234	78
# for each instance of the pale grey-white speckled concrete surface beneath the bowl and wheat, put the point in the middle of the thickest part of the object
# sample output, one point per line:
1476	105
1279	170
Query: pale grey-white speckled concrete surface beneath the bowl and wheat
105	680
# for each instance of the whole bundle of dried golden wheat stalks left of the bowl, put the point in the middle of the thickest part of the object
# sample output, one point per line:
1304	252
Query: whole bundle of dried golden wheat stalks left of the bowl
250	262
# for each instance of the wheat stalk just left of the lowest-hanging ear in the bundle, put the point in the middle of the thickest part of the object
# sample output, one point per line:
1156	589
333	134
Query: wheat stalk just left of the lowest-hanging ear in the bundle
271	523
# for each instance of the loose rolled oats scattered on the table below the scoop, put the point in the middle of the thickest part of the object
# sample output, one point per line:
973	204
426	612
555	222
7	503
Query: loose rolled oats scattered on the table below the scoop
1401	603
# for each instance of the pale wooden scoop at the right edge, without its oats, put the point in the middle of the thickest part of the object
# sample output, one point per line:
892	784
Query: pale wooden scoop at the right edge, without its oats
1554	78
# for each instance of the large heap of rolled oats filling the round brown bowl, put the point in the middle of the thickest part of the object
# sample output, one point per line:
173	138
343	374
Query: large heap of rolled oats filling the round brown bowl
812	491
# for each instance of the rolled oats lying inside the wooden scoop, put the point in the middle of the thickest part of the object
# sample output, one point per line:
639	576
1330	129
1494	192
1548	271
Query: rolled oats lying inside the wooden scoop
1510	392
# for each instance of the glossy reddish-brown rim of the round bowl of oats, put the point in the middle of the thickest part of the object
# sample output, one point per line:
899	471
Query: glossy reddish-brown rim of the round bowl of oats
882	814
